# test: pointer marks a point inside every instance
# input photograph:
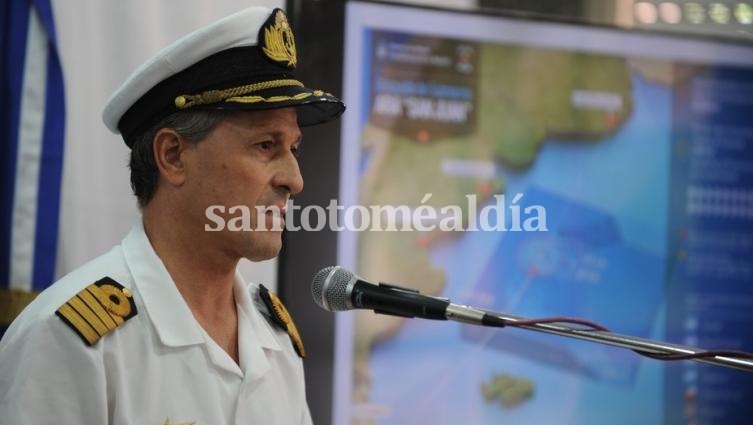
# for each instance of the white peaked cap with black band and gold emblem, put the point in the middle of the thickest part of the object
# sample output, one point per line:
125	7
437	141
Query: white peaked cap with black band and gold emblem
242	62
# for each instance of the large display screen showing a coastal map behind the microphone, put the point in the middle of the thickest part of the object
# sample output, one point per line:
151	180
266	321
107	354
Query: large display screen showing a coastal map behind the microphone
575	171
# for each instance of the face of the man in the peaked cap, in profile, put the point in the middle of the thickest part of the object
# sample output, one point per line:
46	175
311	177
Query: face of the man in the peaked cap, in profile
249	159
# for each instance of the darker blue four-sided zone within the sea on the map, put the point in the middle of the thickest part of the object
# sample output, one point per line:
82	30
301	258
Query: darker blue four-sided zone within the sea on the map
580	267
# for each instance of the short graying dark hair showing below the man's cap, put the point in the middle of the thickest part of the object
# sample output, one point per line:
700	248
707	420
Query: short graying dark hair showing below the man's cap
194	126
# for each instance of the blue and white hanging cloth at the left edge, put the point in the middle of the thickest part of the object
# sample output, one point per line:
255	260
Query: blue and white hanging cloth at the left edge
32	116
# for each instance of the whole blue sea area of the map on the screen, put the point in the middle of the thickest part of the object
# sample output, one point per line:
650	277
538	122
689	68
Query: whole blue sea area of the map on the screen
605	266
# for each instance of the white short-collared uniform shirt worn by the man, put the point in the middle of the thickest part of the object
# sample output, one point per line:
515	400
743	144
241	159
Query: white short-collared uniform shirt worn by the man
160	367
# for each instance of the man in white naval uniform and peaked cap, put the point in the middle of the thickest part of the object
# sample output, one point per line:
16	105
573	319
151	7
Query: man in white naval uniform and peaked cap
162	329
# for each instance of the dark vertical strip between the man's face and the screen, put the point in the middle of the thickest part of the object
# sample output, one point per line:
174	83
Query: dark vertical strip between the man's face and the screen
318	27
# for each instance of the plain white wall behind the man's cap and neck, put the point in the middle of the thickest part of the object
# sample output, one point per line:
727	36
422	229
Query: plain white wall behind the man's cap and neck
100	43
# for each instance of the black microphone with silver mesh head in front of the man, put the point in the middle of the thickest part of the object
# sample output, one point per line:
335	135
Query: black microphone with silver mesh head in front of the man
337	289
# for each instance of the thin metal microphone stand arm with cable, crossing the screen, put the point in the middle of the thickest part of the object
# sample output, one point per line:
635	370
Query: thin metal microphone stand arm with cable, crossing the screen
624	341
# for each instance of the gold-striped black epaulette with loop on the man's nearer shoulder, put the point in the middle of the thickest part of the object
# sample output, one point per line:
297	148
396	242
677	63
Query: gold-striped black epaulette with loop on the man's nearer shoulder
98	309
